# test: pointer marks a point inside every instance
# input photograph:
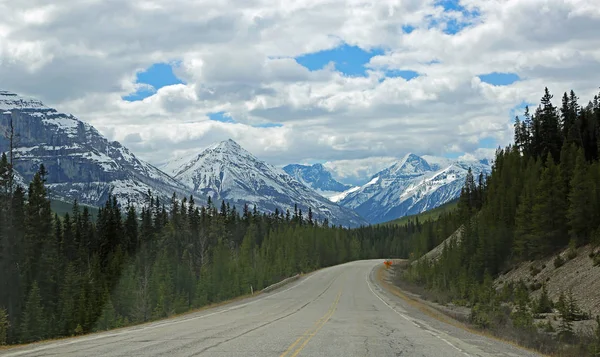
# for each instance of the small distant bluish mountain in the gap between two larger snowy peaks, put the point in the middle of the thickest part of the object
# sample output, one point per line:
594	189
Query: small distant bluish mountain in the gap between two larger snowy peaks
318	178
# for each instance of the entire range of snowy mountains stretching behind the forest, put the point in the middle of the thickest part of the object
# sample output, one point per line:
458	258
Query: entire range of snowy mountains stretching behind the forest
83	165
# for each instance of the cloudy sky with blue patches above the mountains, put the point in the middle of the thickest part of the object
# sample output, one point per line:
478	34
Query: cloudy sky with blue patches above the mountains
354	84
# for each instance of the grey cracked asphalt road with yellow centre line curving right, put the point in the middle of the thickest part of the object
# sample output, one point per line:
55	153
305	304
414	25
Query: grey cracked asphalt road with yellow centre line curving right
337	311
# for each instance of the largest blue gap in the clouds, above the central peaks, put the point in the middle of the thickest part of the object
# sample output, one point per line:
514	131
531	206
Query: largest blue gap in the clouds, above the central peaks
349	60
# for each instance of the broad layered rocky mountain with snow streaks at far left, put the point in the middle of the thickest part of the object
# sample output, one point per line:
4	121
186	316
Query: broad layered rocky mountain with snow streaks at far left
81	163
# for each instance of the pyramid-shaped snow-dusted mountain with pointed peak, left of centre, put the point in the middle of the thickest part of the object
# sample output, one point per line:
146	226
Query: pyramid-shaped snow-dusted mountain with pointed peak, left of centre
226	171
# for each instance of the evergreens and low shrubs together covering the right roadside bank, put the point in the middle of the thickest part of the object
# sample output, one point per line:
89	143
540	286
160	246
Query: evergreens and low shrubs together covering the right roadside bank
542	197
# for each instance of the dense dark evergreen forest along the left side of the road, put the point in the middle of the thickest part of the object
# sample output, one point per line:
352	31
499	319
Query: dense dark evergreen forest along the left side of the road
71	274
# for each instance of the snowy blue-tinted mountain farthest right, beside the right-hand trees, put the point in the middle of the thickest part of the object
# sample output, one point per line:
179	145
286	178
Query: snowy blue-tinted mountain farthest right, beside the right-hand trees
410	186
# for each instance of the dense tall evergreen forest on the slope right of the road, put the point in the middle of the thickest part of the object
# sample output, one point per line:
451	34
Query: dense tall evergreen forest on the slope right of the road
543	195
